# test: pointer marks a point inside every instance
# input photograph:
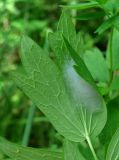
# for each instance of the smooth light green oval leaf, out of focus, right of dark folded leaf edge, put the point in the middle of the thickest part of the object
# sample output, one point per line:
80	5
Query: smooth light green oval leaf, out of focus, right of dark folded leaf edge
96	64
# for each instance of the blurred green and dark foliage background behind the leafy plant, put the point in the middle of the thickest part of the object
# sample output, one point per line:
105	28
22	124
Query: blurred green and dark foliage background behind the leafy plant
35	18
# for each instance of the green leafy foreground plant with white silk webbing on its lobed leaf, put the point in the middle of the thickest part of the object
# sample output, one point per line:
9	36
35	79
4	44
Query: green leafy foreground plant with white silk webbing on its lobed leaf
72	88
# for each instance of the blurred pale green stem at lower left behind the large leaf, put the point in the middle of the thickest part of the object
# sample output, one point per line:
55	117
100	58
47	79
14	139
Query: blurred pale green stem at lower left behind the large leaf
28	126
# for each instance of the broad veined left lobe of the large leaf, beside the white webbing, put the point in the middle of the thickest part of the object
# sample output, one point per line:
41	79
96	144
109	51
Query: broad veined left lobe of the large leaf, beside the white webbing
45	87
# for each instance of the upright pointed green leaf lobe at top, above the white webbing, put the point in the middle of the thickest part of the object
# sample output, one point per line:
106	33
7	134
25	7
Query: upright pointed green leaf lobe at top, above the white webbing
65	27
